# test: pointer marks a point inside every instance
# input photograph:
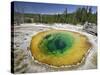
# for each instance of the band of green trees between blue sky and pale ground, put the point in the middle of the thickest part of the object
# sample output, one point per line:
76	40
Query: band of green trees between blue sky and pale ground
80	16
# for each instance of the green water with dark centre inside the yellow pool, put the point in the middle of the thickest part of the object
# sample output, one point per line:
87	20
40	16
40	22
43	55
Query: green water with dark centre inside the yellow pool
56	43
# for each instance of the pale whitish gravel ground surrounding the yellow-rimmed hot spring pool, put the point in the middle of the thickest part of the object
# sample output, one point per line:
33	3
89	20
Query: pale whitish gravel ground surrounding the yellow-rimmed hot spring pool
22	38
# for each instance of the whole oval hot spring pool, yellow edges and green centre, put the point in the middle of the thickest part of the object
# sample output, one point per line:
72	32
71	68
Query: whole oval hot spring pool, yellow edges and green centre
59	47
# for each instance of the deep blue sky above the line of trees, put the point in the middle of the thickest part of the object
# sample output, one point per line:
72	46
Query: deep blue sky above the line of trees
47	8
